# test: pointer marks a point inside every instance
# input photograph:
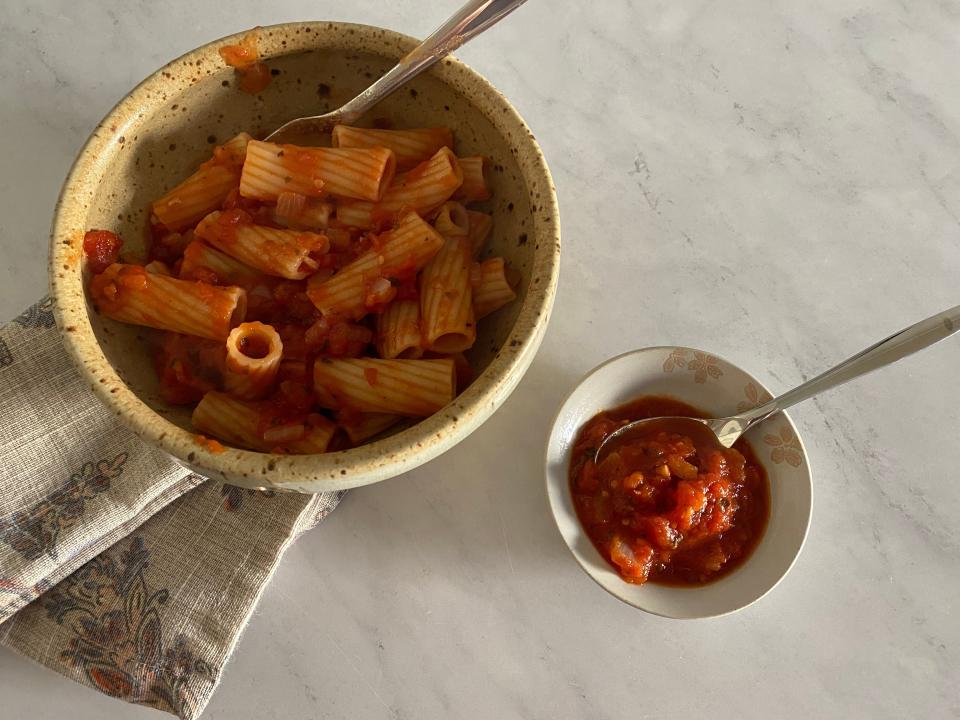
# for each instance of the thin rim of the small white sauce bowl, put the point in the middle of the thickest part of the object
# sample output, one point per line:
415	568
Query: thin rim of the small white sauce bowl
566	484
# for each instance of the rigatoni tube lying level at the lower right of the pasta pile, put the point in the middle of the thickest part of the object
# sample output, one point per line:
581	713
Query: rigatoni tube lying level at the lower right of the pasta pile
415	388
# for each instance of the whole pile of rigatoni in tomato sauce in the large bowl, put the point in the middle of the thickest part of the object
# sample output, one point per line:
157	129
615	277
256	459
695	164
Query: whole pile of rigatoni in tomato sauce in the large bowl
311	298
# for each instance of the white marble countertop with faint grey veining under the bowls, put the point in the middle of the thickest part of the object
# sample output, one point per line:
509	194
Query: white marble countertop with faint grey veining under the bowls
784	177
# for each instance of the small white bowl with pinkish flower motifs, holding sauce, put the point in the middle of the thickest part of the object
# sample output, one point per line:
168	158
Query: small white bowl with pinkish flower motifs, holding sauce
719	388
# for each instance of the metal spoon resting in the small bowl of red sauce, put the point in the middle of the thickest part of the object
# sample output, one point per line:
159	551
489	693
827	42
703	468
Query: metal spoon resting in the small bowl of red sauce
727	430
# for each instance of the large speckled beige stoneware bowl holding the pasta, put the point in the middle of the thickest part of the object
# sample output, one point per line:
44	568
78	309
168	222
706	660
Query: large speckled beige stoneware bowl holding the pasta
167	125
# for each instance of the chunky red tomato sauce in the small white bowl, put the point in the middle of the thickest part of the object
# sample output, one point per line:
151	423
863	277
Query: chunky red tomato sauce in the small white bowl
669	505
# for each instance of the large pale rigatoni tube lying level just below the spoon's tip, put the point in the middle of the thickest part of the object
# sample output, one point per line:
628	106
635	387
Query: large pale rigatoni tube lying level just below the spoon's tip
359	173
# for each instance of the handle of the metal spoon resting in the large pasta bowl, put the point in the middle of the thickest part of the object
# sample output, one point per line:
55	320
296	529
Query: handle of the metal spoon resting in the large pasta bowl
468	22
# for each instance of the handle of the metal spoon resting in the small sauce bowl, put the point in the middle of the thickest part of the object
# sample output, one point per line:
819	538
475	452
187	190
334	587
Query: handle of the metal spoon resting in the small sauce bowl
897	346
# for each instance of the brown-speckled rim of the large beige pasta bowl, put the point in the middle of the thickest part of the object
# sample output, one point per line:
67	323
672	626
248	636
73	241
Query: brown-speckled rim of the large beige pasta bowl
368	463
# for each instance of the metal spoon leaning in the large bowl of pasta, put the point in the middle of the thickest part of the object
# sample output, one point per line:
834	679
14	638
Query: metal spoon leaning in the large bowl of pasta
468	22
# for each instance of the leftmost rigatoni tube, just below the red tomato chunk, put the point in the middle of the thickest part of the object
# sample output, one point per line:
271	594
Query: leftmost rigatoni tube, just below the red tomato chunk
130	294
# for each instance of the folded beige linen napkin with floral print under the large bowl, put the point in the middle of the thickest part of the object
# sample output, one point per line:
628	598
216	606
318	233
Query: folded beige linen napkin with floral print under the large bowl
119	568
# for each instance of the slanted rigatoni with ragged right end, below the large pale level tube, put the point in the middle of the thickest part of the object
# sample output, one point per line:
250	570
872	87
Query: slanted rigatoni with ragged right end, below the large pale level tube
290	254
